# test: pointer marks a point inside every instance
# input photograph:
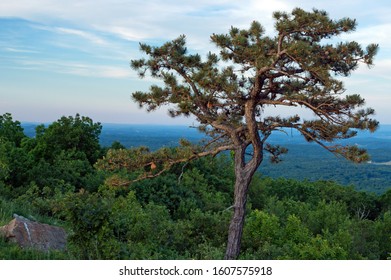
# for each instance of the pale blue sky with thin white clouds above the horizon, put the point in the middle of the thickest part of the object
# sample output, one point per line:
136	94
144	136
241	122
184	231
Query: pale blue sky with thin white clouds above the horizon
59	58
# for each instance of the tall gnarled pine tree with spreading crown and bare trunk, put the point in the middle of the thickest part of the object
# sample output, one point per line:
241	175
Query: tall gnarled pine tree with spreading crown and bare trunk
229	92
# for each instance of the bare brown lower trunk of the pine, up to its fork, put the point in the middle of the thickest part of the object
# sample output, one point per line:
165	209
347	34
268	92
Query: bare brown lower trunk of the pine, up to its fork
244	174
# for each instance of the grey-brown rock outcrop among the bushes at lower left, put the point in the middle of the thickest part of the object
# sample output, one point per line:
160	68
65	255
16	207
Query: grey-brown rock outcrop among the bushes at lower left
29	234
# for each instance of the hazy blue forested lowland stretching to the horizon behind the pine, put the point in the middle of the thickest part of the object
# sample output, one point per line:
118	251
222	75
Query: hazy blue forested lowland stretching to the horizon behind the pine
303	161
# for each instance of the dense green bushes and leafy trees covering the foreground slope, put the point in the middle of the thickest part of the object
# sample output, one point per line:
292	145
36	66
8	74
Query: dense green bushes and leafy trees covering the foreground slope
183	214
